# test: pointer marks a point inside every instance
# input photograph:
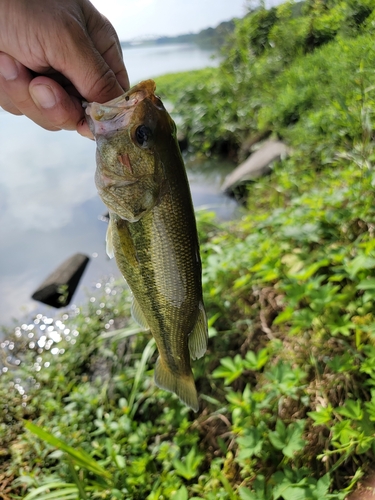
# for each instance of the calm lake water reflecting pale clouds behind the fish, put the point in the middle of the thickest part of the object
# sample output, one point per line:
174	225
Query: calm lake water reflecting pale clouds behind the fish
49	207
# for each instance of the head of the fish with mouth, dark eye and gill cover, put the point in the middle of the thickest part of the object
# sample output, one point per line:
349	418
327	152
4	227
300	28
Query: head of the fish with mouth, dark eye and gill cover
130	131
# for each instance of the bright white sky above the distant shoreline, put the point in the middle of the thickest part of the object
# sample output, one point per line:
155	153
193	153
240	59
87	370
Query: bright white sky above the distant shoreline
134	19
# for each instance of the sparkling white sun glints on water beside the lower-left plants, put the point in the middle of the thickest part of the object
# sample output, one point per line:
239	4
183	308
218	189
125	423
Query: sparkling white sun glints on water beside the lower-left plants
32	347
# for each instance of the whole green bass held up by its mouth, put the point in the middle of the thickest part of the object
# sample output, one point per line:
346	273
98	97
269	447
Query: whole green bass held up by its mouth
152	233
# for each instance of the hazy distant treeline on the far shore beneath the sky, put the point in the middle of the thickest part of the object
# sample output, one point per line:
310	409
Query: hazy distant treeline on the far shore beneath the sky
209	37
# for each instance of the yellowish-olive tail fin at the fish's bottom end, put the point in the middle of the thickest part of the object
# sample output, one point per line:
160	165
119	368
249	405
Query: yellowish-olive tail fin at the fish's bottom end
182	386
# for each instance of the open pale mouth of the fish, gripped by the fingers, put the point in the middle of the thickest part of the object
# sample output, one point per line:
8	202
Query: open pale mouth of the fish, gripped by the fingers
115	114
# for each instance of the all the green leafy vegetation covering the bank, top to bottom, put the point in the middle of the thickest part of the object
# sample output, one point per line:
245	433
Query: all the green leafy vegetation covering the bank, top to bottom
288	383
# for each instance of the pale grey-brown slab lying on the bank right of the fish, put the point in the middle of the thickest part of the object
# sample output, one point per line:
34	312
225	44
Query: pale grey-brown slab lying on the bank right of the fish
257	165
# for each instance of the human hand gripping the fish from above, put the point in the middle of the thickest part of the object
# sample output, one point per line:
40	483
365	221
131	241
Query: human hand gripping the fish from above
53	53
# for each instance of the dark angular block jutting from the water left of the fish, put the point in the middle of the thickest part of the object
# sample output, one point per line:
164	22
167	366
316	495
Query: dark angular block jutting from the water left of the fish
58	288
